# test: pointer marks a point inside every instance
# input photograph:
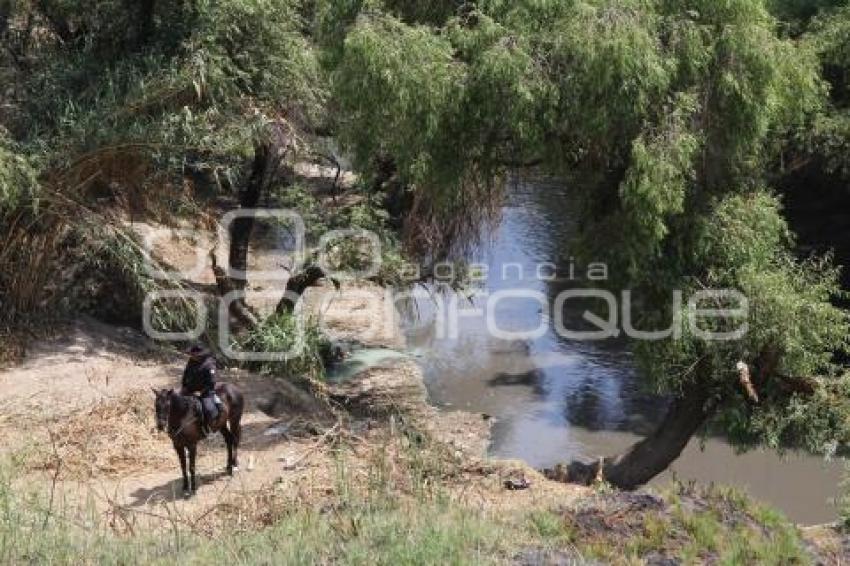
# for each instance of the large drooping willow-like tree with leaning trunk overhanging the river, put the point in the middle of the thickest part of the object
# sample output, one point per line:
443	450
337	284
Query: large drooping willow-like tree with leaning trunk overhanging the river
676	109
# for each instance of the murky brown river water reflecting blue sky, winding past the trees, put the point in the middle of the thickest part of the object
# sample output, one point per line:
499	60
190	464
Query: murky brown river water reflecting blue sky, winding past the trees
555	399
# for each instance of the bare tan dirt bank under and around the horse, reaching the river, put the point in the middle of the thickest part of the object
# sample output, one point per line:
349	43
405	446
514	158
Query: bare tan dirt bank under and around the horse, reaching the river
79	413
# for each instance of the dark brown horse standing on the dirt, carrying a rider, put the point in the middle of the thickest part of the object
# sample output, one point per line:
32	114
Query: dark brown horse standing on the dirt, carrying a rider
180	416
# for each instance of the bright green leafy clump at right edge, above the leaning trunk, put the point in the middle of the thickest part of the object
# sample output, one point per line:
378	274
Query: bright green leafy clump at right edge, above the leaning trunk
790	301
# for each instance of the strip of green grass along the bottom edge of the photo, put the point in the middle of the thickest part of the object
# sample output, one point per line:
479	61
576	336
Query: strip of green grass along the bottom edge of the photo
380	522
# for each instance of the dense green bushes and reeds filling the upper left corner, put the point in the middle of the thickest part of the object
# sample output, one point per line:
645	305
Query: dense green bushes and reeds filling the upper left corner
140	107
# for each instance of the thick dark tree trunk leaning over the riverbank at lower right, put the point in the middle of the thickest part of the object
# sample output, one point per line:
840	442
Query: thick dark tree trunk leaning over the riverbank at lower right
654	454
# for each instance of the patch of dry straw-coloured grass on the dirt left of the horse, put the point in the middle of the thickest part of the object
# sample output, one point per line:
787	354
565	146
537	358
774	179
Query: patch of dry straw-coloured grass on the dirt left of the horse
112	438
